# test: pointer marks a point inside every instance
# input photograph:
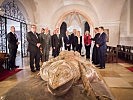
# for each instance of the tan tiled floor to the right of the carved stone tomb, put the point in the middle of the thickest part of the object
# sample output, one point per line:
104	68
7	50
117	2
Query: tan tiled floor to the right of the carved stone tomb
119	79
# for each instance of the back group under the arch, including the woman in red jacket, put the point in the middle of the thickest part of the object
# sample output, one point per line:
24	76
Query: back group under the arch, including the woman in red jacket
74	40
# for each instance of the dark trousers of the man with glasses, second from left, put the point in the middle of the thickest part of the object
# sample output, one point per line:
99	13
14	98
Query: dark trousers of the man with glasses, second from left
35	57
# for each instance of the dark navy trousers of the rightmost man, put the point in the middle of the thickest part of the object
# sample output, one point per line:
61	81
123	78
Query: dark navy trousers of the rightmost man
102	55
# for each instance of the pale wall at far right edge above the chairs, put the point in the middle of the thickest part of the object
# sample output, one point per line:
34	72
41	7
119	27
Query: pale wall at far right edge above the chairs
126	26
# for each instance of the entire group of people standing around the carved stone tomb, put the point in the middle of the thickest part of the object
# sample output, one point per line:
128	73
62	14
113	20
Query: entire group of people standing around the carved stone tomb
40	44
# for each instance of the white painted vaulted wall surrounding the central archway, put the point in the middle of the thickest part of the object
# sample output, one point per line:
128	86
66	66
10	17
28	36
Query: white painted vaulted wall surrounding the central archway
50	13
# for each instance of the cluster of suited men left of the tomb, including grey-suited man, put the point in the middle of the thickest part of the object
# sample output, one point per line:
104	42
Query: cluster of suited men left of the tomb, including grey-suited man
39	45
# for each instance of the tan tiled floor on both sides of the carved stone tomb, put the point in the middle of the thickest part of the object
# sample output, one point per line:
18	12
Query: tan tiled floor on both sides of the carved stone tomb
117	77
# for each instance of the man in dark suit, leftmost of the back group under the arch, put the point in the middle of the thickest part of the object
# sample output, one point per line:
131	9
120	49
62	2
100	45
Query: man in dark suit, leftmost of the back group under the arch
67	41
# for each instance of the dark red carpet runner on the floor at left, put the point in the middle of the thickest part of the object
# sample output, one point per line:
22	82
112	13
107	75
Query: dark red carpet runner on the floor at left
6	73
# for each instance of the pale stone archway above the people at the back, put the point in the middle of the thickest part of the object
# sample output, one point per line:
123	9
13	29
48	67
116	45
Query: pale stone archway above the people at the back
90	16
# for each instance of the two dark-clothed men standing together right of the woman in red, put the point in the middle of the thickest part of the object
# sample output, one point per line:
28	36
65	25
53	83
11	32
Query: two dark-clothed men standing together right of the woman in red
99	49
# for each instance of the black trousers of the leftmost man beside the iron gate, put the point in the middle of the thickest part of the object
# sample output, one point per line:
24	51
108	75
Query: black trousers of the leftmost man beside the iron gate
12	57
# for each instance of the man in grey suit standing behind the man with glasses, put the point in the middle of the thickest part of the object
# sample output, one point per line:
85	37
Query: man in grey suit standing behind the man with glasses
45	40
